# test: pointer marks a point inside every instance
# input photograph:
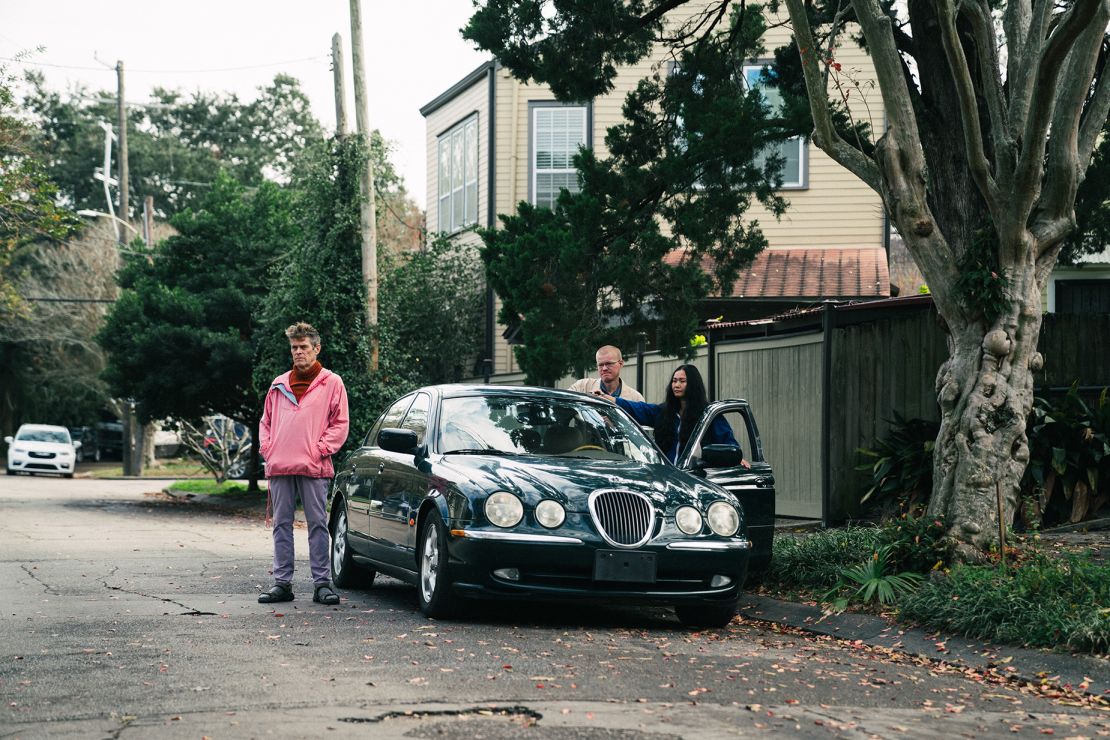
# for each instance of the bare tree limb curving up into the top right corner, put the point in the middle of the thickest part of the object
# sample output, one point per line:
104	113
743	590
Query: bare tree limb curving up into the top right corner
1032	164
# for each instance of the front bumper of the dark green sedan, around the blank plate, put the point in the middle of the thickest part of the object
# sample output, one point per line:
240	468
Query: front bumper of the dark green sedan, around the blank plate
551	567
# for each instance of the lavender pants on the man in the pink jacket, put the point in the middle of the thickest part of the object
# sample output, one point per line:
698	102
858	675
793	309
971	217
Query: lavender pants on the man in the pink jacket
314	493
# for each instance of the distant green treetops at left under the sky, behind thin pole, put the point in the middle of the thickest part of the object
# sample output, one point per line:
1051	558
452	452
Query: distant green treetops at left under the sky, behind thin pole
176	145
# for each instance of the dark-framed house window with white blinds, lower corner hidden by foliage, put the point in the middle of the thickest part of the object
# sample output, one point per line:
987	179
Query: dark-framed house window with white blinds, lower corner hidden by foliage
558	134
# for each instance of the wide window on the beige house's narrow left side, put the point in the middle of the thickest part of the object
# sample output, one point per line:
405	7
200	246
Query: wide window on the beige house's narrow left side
458	175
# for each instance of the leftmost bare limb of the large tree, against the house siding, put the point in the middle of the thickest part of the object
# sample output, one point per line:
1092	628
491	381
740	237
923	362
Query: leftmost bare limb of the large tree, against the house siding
825	135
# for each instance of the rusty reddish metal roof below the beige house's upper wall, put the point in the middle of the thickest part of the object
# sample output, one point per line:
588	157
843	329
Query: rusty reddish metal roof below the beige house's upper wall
811	273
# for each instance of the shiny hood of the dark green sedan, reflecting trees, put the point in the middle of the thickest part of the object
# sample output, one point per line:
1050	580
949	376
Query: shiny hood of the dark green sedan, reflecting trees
571	481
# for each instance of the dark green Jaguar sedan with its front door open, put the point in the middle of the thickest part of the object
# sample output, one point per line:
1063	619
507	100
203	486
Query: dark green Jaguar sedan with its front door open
503	493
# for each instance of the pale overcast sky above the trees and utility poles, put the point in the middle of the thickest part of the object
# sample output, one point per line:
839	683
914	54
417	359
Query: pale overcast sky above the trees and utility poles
413	53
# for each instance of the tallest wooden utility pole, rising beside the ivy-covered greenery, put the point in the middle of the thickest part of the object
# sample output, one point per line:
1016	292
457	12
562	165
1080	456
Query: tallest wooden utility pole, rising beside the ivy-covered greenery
367	183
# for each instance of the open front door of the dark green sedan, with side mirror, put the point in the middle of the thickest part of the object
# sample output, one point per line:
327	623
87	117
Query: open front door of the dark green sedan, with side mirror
713	452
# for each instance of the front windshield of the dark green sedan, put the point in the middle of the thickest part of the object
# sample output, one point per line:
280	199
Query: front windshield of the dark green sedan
513	425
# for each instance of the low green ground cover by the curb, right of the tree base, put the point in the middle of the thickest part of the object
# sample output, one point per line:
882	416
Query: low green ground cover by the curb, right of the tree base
1045	603
